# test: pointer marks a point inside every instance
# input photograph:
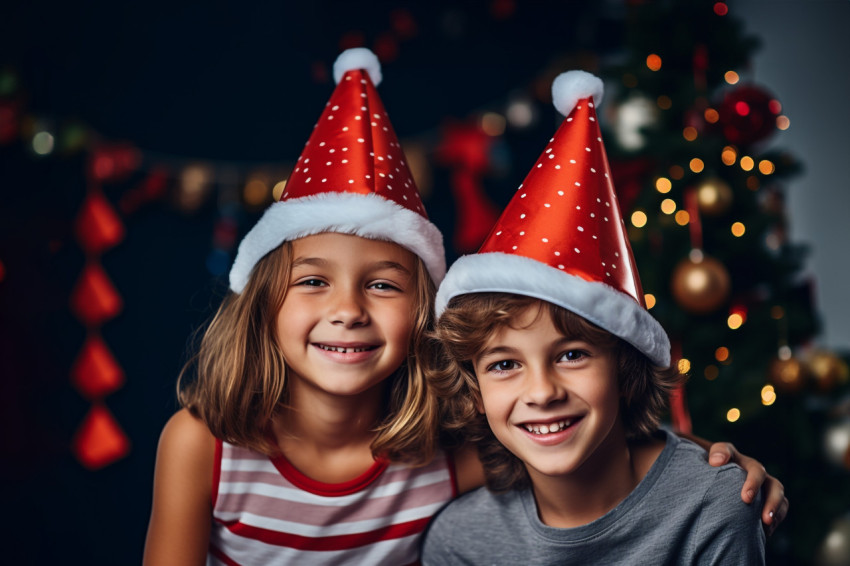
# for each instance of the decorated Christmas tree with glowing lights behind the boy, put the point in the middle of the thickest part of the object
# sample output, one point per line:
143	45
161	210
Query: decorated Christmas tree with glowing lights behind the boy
703	199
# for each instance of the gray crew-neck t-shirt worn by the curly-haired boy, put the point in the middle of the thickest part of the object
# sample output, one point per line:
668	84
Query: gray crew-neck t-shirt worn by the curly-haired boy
683	512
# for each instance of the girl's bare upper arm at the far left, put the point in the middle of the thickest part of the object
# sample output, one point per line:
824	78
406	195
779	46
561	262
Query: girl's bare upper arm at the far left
179	528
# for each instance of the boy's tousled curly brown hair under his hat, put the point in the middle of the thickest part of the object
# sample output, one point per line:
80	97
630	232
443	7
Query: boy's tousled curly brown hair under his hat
463	331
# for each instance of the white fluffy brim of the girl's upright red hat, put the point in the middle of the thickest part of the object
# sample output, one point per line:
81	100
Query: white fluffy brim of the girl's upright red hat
365	215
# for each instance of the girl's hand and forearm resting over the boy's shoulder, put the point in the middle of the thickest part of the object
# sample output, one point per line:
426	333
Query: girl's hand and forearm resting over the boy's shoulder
775	503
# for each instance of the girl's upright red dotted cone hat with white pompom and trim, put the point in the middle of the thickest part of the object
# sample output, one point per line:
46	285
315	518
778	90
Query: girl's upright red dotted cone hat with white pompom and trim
351	178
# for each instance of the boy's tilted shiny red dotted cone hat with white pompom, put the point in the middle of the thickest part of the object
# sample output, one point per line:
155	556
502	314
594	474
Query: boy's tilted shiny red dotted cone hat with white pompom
562	238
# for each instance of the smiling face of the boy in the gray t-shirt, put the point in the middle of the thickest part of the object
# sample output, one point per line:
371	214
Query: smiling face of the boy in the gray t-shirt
550	399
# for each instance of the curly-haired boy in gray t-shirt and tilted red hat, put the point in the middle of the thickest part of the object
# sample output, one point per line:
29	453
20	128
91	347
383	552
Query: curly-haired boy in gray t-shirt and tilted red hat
558	372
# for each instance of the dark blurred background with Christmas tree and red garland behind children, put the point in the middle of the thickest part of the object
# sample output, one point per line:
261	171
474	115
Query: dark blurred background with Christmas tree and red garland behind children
139	142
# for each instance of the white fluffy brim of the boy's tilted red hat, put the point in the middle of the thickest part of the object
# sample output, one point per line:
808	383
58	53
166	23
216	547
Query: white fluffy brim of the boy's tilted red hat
600	304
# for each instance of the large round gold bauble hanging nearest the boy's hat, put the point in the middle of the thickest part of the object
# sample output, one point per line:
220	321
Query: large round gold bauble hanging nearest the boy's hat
701	286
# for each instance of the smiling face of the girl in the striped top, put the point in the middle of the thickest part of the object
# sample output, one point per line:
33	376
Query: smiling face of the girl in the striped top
347	317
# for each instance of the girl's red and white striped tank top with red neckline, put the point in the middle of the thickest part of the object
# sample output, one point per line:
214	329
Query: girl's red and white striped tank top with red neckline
267	512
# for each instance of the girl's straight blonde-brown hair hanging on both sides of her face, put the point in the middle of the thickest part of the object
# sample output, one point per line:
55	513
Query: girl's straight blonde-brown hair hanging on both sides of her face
239	380
